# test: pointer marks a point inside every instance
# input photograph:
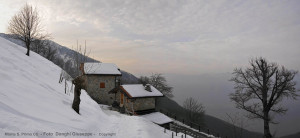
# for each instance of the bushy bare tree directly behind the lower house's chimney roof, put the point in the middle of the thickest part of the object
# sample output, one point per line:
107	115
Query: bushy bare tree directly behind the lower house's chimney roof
159	82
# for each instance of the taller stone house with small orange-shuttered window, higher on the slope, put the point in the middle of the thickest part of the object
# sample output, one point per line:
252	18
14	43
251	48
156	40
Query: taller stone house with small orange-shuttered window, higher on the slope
100	78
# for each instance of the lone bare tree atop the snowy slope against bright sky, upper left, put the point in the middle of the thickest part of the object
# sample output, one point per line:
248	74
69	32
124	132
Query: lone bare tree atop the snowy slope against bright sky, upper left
26	26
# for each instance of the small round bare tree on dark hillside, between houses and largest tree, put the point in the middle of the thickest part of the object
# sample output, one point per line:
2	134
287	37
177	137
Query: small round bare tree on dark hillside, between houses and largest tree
194	110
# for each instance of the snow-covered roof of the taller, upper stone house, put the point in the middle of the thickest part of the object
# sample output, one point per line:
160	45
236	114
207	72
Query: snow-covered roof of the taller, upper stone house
101	68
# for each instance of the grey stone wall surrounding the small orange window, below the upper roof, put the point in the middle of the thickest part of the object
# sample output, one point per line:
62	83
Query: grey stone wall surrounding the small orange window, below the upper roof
101	95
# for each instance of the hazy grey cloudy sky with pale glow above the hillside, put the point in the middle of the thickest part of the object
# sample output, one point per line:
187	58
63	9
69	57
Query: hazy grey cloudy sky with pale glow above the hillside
195	43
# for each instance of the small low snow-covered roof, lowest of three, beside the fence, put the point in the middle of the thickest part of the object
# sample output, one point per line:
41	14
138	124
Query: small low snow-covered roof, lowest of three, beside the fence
158	118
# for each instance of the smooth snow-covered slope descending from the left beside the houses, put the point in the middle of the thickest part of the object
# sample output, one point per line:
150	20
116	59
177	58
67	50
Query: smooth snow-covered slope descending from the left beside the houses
33	103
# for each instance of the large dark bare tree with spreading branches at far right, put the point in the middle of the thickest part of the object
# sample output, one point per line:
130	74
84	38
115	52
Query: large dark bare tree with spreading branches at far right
261	87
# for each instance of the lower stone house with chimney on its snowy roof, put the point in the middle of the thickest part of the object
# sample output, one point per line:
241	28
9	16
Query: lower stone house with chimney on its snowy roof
136	98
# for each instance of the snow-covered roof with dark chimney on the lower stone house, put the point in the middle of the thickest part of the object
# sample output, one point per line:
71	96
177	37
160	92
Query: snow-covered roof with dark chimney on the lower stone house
138	90
